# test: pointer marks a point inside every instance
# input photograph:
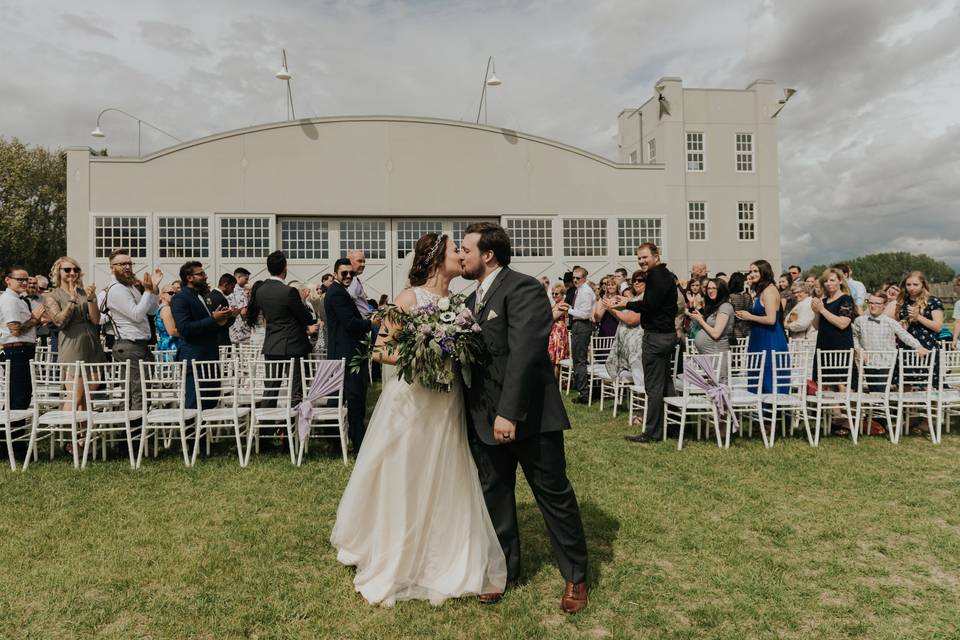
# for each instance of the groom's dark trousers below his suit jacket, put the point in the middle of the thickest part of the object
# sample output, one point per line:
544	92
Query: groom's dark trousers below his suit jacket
544	465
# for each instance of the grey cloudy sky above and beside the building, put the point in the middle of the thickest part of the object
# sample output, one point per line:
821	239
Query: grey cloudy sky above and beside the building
869	147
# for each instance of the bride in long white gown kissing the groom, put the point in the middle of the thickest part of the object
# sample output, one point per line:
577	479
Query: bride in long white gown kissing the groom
412	518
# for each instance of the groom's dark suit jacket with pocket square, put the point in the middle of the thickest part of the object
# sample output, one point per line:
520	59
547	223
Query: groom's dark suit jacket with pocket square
516	381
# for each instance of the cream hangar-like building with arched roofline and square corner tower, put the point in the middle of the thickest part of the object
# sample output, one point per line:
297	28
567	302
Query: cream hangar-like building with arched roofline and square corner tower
702	185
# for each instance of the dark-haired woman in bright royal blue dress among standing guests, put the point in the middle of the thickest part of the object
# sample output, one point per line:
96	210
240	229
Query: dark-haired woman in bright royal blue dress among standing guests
766	320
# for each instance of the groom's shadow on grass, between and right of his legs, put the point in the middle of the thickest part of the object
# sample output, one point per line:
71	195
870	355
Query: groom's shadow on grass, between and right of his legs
536	550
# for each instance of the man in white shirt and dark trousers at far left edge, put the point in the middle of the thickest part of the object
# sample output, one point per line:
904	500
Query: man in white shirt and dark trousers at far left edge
18	337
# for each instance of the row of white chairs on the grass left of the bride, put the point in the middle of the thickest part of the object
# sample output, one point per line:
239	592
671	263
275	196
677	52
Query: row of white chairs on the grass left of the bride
236	399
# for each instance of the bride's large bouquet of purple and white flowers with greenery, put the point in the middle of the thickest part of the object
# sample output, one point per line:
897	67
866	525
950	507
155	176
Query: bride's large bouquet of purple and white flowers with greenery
430	341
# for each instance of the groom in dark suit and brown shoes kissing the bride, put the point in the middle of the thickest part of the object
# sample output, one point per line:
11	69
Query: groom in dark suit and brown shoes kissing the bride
515	410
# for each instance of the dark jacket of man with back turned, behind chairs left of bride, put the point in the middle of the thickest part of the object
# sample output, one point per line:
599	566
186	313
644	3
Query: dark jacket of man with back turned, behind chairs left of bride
287	319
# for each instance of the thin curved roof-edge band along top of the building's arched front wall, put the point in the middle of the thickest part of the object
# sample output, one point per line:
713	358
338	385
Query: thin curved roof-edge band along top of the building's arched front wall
302	122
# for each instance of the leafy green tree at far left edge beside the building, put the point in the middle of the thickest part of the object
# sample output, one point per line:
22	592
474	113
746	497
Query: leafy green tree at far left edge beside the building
33	206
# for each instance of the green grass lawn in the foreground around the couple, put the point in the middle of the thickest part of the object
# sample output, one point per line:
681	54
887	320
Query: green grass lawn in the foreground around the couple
834	542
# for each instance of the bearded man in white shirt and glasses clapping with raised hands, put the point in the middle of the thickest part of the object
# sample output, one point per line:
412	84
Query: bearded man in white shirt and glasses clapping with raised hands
128	311
